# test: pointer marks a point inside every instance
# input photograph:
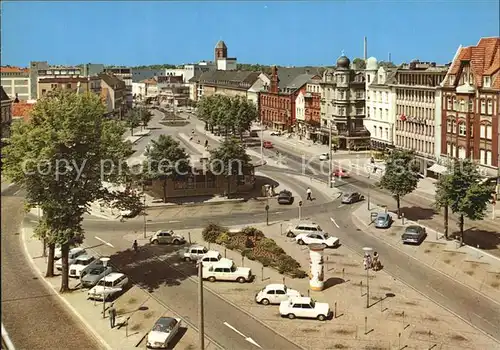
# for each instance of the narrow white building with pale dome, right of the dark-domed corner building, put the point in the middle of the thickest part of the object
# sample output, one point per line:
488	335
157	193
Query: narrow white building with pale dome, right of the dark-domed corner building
380	104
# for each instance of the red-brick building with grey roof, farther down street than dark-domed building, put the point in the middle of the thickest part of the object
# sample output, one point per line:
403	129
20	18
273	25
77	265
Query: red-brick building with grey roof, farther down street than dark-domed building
277	101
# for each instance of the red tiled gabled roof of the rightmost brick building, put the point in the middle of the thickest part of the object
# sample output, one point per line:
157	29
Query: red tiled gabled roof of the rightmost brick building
484	60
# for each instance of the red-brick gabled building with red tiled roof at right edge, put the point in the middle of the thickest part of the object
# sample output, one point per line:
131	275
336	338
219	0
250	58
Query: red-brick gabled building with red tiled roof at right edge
470	99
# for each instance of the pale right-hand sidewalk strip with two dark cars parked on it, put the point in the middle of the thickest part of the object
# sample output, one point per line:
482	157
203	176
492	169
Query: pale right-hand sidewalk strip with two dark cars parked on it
470	266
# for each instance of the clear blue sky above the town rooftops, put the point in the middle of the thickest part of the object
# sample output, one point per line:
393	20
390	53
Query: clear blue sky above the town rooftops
282	32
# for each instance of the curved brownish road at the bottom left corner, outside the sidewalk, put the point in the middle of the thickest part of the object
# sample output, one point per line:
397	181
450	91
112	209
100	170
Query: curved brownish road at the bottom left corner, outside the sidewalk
33	315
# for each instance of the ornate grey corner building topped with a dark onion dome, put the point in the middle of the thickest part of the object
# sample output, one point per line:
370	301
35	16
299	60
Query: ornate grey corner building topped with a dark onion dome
343	106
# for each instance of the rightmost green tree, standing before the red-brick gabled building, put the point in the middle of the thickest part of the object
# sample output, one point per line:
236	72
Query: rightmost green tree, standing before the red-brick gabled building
461	189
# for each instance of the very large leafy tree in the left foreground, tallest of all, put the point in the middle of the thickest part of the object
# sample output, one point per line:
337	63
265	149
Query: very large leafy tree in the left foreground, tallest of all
61	157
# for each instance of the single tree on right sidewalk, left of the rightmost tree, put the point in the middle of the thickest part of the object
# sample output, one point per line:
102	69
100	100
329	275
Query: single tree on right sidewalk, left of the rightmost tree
400	176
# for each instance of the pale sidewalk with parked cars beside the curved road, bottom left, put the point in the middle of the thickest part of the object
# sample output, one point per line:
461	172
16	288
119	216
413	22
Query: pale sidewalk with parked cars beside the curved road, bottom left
135	307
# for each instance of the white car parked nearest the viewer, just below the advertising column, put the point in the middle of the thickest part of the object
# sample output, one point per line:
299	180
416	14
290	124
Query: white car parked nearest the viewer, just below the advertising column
304	307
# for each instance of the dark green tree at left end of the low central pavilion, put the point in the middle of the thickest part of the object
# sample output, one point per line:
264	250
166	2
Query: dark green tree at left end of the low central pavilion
165	158
